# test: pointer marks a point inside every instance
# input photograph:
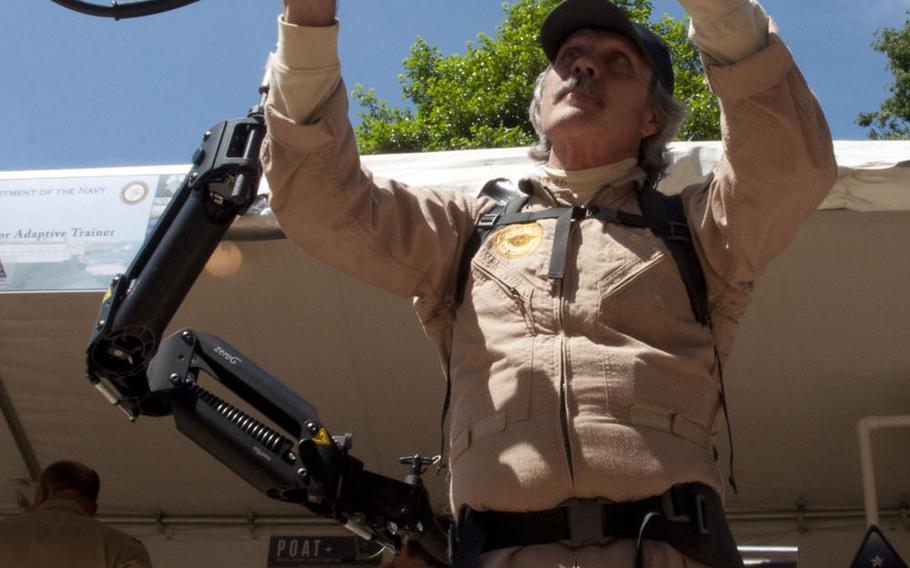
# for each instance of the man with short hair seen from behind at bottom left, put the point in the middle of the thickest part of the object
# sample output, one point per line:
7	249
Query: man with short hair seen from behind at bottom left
61	533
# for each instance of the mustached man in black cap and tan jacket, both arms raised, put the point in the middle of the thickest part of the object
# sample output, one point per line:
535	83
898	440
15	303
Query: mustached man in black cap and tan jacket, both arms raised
586	389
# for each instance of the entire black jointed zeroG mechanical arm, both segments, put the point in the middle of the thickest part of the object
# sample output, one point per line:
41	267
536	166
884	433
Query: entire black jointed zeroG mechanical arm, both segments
294	459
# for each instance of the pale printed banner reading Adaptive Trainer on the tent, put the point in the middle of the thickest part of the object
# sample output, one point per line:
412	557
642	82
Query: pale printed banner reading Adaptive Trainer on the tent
75	233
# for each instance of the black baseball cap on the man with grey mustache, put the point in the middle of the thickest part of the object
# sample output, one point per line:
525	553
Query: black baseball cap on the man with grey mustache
573	15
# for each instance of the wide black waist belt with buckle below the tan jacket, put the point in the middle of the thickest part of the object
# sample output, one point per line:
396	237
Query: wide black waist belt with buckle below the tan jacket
688	517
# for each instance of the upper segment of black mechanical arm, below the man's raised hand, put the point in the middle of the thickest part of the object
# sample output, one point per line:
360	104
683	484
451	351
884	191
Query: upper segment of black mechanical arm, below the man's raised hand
140	303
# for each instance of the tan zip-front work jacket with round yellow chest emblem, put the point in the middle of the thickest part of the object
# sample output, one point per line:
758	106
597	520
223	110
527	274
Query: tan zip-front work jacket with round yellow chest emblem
603	385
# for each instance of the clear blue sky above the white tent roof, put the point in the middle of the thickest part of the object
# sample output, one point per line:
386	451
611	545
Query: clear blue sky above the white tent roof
80	91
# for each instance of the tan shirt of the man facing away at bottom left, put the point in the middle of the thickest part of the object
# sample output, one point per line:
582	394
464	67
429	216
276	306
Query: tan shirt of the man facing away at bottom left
60	534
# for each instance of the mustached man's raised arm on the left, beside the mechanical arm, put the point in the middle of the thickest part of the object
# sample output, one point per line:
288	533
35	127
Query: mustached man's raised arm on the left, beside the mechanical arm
404	240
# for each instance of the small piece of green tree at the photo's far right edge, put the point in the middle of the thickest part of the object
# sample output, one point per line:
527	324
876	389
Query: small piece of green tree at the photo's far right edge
892	120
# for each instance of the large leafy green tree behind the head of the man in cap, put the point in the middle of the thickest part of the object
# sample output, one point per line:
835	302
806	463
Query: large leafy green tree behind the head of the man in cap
480	99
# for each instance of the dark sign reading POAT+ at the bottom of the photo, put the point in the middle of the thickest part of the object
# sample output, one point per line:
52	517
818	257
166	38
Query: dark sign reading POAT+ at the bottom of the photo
311	551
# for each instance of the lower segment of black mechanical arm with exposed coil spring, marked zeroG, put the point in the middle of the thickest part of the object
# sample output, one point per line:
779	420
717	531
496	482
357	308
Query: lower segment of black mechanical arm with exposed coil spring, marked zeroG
306	465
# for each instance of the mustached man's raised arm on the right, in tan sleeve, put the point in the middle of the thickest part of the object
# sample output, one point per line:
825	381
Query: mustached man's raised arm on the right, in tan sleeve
778	160
